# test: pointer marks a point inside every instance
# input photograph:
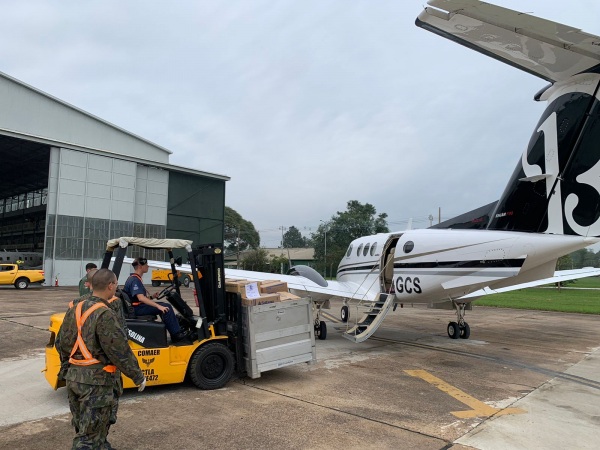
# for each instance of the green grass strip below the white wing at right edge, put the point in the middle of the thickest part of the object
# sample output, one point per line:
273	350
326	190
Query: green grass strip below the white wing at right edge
583	301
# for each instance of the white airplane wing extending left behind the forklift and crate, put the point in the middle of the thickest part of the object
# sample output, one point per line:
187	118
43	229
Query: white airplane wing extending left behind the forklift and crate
298	285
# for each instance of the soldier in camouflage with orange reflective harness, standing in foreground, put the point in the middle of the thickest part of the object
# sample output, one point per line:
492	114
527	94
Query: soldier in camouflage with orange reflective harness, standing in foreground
93	362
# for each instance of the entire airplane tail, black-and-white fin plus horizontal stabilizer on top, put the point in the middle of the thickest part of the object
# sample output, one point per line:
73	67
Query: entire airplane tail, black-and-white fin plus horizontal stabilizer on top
555	187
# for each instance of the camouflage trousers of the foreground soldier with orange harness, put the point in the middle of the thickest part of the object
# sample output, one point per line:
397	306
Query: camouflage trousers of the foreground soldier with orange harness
91	407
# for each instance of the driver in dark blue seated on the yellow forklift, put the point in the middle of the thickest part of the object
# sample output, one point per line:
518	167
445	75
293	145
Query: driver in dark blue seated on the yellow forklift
144	305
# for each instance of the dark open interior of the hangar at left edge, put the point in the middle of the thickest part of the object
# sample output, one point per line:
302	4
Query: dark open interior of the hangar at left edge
23	194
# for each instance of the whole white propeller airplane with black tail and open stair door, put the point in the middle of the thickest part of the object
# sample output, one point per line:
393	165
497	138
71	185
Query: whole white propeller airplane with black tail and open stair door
550	207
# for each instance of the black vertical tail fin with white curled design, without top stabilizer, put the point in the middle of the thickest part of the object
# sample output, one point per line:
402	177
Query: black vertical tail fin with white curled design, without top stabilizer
555	188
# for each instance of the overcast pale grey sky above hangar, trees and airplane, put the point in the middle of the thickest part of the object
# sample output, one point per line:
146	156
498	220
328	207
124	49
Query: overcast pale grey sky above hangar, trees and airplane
304	104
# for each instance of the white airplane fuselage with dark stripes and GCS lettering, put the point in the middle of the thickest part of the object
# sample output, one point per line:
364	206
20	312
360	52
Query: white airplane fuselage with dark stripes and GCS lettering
431	265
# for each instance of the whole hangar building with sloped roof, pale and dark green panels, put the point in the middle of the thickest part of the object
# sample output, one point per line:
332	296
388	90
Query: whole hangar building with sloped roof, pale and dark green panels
71	181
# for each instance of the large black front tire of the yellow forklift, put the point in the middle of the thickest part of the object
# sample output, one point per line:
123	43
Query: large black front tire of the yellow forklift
211	366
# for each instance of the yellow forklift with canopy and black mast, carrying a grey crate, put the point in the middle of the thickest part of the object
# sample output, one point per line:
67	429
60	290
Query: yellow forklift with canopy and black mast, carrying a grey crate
210	357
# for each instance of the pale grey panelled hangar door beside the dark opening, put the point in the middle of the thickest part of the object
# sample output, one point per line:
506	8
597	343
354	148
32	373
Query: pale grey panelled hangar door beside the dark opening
93	198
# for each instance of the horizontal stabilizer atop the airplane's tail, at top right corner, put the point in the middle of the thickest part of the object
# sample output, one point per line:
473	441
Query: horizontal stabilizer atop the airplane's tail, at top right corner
547	49
